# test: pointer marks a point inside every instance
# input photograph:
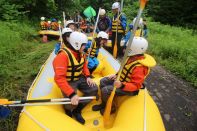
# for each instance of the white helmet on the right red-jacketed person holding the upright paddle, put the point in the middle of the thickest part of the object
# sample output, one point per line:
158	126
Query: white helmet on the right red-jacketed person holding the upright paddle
138	46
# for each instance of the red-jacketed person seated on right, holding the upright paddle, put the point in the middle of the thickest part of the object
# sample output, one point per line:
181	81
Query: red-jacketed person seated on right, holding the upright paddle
134	72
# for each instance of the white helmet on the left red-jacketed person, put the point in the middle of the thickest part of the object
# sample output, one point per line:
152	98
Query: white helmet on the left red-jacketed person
77	39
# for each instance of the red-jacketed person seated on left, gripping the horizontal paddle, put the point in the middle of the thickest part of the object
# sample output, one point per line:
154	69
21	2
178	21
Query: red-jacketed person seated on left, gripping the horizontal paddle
71	73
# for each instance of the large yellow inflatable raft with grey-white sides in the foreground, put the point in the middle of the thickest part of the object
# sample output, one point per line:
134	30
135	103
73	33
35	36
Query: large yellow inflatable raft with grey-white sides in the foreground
136	113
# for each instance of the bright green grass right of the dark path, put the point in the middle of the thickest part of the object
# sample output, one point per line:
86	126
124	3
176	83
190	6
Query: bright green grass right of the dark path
175	48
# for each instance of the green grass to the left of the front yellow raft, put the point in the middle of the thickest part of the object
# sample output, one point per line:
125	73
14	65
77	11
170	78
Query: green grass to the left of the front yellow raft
21	56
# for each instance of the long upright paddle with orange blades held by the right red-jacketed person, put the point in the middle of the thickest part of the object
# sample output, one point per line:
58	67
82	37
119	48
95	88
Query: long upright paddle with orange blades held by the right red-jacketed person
107	112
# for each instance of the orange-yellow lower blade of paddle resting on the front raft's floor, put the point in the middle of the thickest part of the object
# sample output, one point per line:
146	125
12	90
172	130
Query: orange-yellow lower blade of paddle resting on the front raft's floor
106	116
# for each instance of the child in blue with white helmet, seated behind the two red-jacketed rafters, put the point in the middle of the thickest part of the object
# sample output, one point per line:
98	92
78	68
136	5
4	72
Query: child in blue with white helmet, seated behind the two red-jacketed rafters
93	50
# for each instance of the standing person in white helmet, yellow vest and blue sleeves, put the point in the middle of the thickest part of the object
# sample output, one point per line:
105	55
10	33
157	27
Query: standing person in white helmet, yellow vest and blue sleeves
119	22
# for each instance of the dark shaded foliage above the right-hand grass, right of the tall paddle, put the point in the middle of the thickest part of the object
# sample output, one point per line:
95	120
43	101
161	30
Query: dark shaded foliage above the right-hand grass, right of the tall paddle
181	12
